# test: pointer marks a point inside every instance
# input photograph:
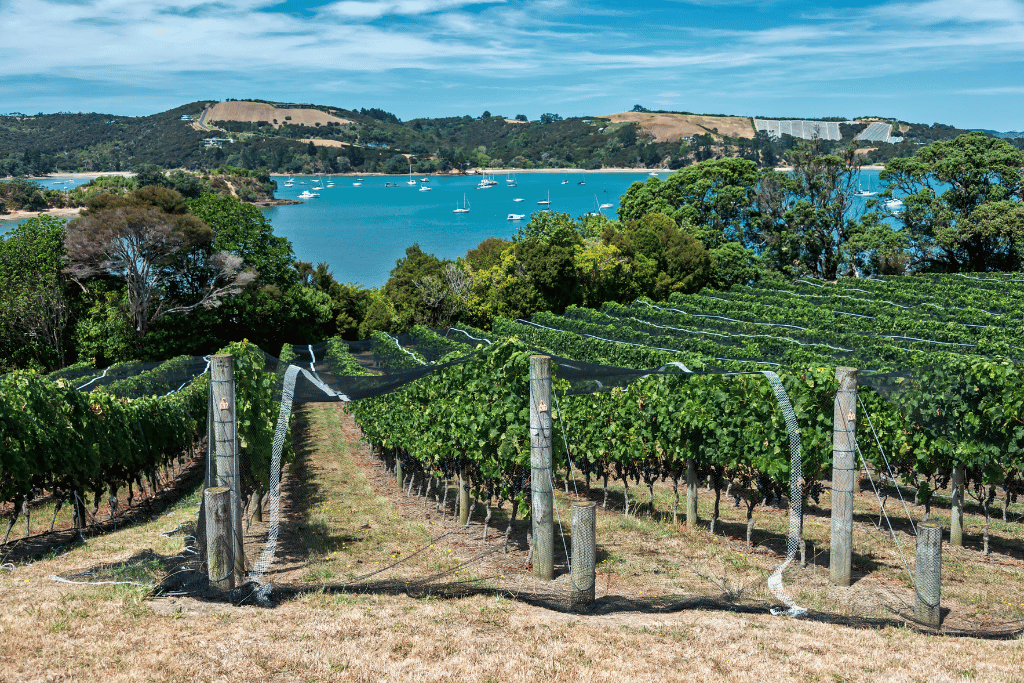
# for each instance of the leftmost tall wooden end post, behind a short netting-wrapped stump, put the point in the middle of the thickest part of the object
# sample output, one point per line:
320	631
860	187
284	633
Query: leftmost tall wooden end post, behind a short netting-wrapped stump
223	386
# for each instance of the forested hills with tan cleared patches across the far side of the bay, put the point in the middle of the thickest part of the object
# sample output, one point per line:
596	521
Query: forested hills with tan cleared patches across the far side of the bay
310	139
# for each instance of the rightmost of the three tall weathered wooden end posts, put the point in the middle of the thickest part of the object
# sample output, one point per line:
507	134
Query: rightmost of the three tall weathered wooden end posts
844	471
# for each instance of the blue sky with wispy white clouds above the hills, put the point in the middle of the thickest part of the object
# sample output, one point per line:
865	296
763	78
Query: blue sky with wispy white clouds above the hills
953	62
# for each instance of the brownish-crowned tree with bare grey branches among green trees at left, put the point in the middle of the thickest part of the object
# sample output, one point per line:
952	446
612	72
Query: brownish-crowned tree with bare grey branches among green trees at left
139	245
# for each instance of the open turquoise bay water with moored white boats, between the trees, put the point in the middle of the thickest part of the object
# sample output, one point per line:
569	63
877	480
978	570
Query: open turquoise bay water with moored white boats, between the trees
362	232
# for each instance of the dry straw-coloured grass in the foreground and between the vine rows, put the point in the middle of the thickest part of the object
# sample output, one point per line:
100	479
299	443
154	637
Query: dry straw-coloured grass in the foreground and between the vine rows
59	632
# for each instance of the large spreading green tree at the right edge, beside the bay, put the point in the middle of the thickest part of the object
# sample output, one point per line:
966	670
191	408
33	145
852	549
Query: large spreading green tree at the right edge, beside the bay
961	203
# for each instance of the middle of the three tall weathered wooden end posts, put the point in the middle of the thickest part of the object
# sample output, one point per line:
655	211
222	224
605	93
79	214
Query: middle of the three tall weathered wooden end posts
542	502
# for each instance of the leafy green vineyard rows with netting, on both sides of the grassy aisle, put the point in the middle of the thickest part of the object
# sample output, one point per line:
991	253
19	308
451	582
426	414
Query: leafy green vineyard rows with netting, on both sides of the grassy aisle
650	400
